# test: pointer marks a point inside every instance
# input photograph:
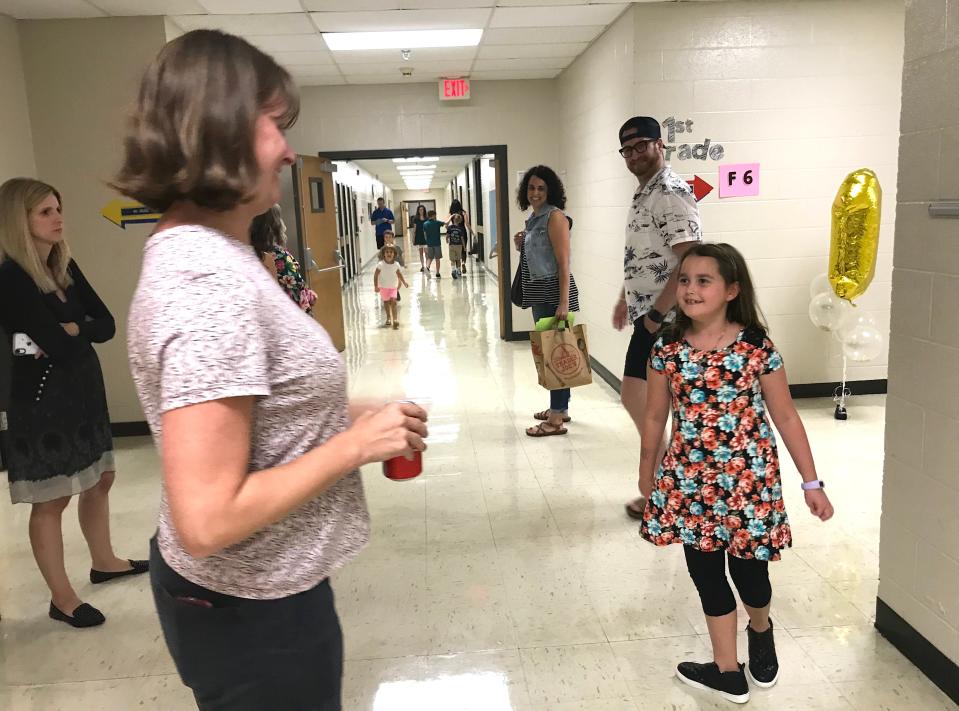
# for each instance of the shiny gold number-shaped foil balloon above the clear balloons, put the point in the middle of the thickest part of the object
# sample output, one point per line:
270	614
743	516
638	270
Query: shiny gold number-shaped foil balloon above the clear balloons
856	212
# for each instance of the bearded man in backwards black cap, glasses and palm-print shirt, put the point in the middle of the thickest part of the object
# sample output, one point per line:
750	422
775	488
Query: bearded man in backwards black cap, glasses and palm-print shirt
663	223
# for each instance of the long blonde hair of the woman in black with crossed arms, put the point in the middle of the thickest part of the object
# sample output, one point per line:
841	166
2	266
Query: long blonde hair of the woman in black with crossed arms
18	197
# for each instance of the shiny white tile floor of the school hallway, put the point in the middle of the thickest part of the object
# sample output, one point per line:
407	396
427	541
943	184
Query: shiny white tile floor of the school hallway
507	576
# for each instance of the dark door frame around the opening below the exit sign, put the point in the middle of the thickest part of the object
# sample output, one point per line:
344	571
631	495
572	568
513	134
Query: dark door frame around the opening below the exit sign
499	152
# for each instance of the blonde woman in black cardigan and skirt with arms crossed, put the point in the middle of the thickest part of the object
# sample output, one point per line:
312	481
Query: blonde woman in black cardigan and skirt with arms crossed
59	425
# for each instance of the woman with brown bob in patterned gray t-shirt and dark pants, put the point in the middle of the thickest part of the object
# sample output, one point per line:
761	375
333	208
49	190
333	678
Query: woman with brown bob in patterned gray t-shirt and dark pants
244	393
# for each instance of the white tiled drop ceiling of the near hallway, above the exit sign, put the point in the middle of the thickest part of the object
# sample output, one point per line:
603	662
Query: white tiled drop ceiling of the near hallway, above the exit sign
522	39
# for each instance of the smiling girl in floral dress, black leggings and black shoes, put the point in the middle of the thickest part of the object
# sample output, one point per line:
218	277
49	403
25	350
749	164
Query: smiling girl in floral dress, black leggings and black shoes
718	490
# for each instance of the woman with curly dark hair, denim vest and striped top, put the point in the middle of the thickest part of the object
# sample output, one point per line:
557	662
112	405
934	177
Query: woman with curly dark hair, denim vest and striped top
548	284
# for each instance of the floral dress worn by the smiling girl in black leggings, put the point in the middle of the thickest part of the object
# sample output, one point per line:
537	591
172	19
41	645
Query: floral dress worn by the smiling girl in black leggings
719	484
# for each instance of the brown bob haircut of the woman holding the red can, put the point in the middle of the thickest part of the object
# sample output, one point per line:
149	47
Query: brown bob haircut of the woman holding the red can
190	135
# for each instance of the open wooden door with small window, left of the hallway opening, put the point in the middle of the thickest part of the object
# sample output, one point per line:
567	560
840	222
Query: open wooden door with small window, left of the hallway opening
313	177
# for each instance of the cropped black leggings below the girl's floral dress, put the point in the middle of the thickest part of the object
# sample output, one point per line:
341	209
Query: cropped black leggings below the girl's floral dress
708	571
